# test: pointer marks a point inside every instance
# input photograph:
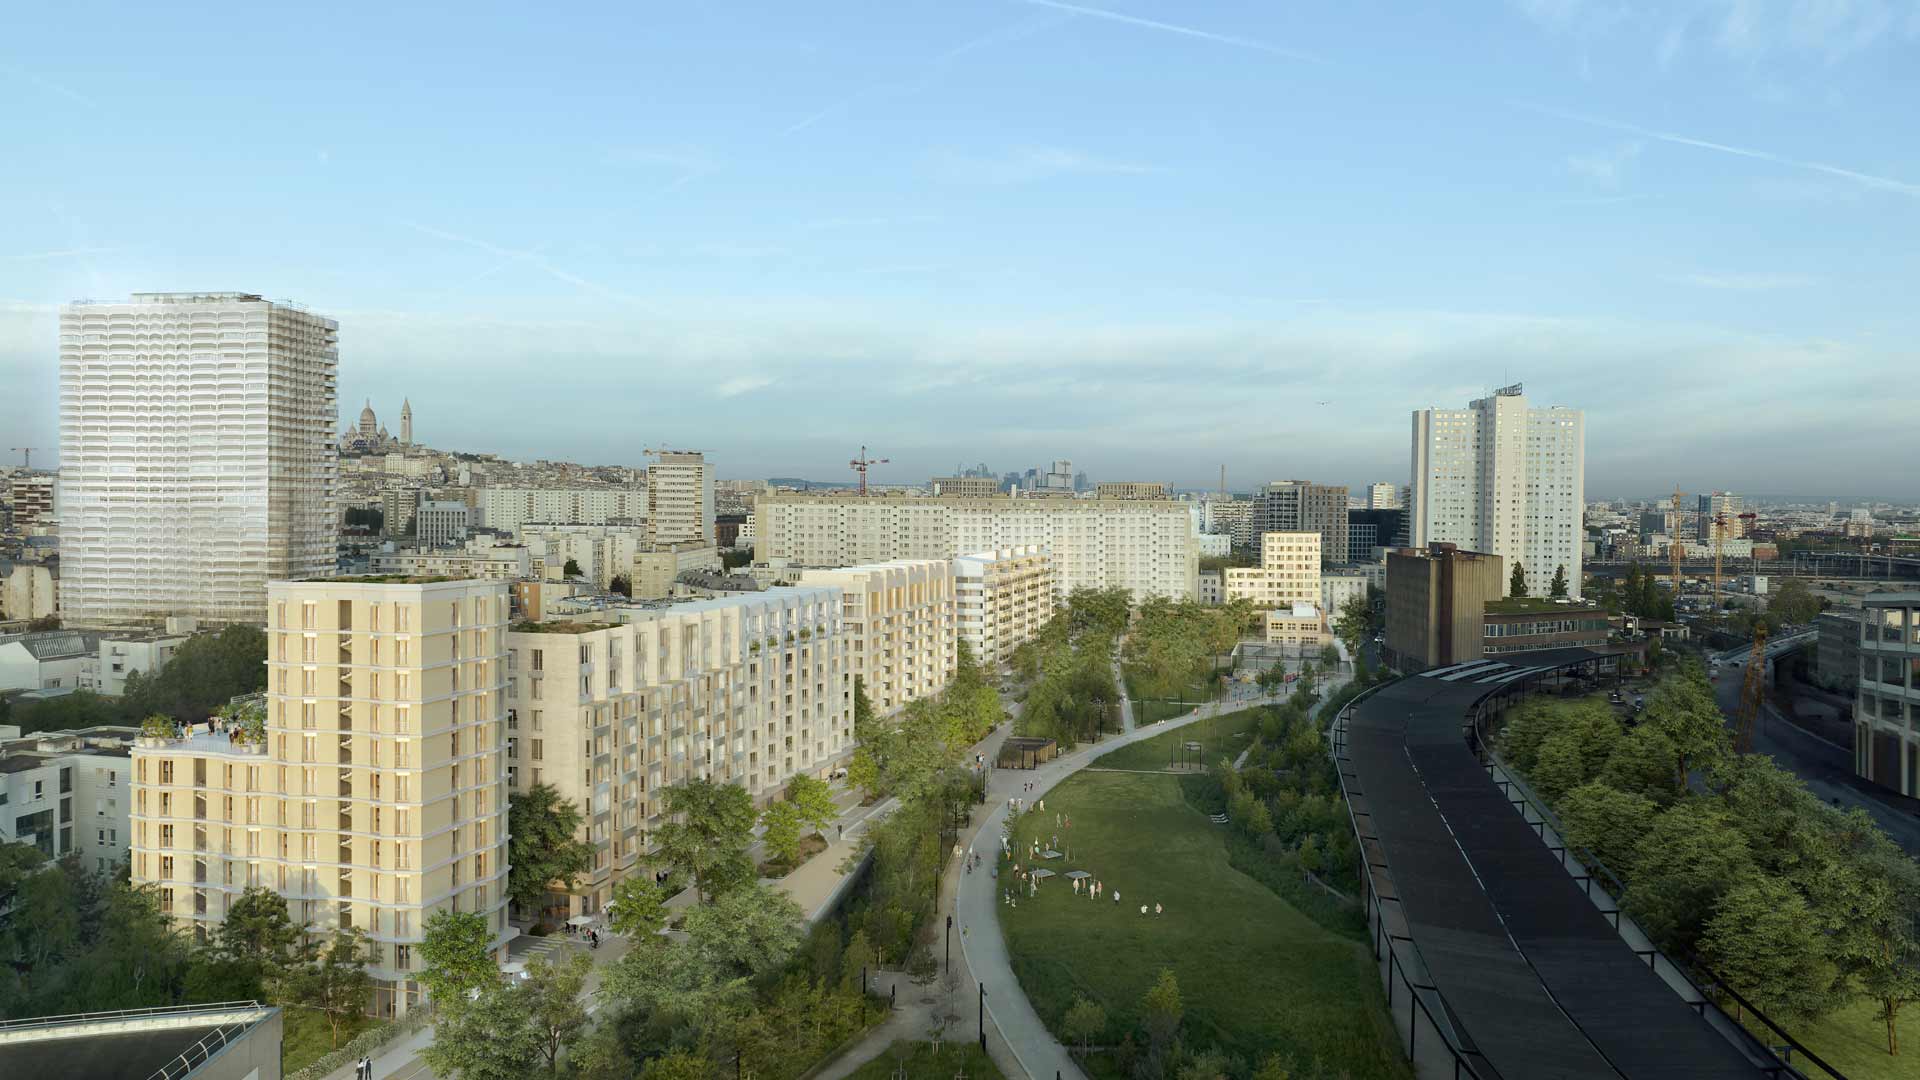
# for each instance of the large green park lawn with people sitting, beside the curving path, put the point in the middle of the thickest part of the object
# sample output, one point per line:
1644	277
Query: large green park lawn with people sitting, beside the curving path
1257	977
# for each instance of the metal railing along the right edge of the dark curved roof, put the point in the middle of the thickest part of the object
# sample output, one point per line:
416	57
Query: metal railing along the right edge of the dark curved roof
1589	871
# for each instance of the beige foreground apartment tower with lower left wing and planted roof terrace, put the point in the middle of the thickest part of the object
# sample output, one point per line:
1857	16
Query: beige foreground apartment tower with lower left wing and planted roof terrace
379	797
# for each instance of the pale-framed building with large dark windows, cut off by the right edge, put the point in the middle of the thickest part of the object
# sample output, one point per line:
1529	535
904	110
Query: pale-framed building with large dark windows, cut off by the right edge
1886	718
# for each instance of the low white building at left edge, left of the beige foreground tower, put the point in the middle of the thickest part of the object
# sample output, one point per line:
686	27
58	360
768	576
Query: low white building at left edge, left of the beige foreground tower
68	793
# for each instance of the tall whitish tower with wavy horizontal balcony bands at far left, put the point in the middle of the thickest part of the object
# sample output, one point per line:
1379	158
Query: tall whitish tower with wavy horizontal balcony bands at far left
197	454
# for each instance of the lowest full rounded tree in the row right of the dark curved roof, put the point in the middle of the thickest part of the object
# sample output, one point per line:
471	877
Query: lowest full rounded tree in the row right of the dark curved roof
1765	943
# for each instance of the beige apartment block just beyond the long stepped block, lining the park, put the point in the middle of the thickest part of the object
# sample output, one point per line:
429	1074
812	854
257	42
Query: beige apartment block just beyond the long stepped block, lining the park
901	627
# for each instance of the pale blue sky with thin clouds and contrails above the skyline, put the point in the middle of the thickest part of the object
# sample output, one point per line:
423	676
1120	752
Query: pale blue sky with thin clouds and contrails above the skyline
1143	235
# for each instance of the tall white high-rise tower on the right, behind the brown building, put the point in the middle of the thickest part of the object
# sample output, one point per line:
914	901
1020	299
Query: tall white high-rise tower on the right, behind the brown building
1504	479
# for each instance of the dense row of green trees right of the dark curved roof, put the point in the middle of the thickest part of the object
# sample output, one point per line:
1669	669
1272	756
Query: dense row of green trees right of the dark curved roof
1800	906
